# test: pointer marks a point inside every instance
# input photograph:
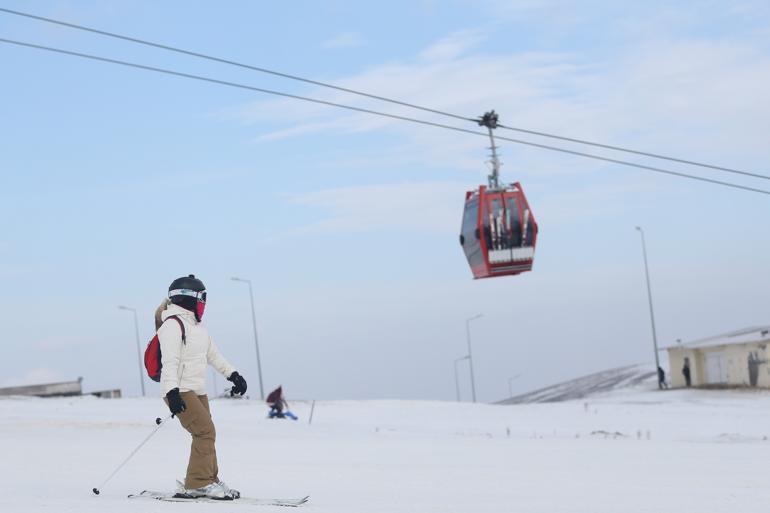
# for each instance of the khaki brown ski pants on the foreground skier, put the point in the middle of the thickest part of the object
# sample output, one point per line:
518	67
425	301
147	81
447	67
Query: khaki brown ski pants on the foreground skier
202	468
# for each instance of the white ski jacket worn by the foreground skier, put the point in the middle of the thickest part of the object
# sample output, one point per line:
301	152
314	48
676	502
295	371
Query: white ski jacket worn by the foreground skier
185	364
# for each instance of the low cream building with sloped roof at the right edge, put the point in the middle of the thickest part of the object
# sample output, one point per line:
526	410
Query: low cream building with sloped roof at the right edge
739	358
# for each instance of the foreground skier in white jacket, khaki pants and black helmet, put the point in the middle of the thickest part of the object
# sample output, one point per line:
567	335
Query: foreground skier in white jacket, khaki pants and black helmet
185	355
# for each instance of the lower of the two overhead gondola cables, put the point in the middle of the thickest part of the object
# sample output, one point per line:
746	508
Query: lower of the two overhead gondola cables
372	112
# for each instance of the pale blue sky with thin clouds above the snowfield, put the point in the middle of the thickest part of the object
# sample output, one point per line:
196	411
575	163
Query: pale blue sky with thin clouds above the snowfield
115	181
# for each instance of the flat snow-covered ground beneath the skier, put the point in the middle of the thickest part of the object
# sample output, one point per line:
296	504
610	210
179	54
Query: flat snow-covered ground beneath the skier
632	450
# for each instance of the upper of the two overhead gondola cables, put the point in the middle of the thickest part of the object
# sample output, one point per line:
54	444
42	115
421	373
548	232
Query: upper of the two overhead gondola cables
369	95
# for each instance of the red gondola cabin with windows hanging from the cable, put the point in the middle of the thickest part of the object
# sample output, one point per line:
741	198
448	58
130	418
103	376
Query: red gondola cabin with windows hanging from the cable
499	232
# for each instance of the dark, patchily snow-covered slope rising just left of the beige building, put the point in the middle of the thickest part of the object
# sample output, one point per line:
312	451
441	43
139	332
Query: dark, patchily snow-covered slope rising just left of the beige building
591	385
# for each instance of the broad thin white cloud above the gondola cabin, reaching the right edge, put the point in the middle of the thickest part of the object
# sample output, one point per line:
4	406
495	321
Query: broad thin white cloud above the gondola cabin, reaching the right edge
679	87
